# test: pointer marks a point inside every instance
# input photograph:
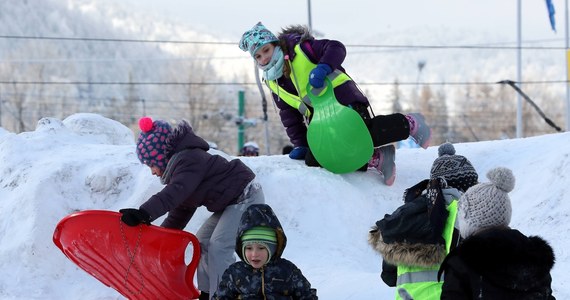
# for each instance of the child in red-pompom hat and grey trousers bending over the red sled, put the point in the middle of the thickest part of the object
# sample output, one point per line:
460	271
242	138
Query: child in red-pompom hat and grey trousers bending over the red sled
193	178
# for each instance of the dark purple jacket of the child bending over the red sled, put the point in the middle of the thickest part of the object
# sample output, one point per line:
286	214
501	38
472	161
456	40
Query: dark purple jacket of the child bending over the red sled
194	177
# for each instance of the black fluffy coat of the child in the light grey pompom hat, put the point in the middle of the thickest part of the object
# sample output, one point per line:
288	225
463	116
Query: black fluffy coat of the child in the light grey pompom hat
498	263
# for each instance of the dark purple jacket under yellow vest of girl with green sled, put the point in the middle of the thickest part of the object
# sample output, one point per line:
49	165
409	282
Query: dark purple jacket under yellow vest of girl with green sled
330	52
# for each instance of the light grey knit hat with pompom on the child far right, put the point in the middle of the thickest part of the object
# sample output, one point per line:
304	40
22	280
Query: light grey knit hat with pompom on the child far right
486	204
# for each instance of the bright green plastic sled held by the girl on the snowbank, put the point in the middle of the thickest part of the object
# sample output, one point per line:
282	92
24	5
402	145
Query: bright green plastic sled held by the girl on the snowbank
337	135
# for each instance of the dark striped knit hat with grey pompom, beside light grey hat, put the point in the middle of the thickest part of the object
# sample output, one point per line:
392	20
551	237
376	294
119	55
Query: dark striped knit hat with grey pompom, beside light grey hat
456	169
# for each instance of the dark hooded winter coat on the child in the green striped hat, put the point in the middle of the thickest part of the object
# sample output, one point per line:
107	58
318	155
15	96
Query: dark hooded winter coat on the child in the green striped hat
278	279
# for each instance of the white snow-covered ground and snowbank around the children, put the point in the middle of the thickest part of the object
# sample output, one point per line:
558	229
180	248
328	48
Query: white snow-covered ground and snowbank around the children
88	162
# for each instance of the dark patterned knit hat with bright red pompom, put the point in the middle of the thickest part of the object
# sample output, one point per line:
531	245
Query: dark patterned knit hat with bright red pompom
151	144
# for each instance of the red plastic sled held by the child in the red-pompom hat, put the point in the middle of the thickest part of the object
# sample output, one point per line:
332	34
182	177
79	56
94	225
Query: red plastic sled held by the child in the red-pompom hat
142	262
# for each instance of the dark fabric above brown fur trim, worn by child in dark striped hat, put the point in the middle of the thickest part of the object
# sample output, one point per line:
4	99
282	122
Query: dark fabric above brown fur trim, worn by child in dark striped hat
422	217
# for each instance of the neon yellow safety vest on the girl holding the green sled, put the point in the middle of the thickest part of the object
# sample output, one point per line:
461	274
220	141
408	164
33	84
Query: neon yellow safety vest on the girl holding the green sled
302	66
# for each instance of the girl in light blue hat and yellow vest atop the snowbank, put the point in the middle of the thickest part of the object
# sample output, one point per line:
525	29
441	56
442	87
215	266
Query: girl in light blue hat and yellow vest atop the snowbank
294	58
